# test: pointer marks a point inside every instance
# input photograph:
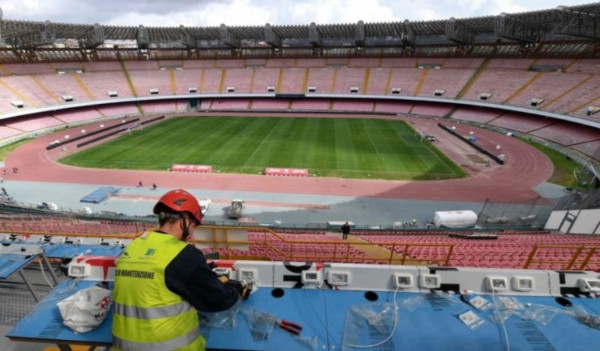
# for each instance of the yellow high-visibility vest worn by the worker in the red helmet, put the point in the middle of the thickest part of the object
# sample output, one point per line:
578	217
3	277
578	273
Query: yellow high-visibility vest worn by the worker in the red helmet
147	315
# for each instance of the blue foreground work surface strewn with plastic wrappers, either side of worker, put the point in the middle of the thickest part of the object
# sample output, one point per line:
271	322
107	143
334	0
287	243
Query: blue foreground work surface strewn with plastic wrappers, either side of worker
425	322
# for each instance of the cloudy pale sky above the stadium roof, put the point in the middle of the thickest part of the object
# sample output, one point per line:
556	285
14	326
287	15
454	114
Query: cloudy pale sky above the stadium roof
210	13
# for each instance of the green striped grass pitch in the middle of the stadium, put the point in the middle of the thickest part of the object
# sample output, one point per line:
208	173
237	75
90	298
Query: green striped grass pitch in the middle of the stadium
327	147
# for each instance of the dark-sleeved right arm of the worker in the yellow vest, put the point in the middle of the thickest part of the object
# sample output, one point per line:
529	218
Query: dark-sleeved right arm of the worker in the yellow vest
189	276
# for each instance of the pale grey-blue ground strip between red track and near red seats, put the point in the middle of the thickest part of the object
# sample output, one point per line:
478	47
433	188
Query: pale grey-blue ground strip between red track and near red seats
264	208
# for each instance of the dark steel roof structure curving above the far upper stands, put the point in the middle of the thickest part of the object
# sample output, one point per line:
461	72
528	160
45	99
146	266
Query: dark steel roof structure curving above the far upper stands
572	31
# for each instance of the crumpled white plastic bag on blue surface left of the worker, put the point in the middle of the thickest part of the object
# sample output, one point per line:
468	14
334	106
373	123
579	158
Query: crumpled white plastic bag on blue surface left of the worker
86	309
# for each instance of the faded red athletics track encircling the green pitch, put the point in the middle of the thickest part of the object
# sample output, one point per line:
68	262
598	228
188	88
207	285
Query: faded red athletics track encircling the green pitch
525	167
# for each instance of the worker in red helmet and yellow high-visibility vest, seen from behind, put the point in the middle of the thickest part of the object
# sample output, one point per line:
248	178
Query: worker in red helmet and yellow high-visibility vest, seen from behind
161	282
